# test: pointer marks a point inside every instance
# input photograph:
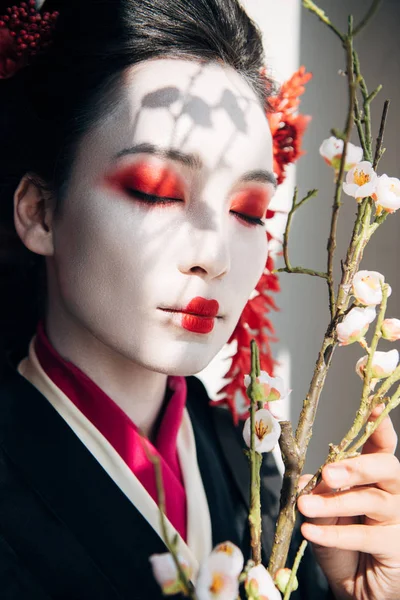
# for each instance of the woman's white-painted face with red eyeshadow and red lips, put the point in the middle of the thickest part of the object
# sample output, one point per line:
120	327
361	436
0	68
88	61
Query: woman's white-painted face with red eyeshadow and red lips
165	205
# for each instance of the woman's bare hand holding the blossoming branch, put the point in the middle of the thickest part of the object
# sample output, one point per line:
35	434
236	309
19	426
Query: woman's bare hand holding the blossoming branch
354	520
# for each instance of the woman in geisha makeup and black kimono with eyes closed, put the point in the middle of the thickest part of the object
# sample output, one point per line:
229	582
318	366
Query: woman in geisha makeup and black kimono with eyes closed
139	159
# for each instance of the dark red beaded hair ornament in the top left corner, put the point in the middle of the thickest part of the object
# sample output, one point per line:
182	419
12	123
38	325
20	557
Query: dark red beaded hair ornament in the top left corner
24	33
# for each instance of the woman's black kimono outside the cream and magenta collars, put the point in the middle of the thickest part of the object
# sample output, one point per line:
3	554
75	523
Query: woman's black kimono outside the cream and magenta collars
67	532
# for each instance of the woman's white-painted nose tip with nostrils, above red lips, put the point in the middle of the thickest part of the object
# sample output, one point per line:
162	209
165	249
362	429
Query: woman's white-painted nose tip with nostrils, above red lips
208	254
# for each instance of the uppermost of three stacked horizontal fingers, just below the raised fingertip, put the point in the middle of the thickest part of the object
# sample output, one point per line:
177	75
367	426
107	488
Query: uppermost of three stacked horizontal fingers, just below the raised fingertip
380	469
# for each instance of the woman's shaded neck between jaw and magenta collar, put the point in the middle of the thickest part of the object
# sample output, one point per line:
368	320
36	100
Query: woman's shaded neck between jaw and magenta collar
138	391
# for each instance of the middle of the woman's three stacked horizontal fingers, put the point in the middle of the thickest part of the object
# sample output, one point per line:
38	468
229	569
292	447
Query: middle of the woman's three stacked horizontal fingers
369	501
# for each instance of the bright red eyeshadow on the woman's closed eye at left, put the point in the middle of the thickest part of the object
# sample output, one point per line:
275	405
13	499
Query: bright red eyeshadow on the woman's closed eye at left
147	179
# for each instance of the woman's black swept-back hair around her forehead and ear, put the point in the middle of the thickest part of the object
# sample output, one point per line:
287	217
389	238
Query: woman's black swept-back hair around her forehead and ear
47	107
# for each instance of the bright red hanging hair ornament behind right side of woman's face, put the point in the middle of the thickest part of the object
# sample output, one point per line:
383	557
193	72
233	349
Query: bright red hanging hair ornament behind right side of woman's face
287	129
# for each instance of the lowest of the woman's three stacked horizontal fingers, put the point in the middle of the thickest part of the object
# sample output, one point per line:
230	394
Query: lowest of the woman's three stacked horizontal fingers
380	541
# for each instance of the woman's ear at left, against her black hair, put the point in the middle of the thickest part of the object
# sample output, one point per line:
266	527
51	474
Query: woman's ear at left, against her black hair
33	216
